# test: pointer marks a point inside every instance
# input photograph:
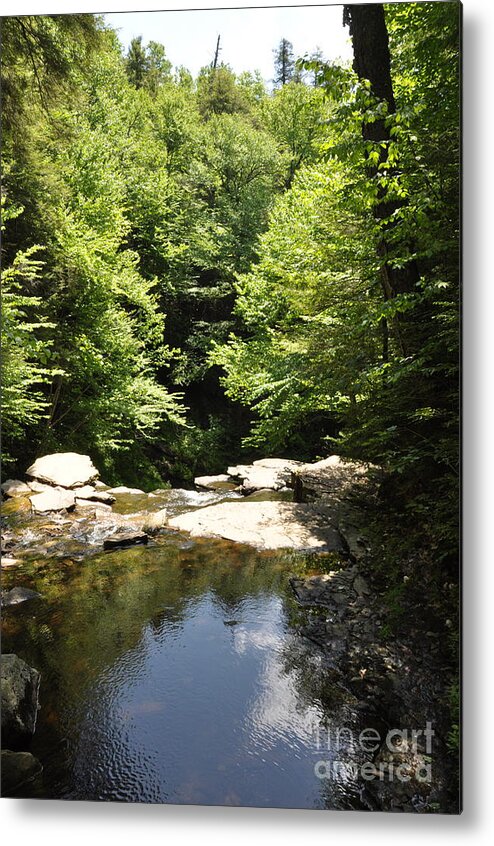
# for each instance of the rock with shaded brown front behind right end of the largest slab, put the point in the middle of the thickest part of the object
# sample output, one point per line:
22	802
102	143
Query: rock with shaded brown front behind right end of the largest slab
328	479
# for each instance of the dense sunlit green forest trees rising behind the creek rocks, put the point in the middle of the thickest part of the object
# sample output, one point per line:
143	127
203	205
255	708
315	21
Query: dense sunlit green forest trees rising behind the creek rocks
196	269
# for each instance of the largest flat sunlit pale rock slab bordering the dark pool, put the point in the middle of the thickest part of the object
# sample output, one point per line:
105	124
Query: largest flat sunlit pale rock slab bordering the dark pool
265	525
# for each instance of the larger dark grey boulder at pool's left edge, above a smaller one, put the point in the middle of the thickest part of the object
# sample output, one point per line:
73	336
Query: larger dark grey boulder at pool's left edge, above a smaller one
20	685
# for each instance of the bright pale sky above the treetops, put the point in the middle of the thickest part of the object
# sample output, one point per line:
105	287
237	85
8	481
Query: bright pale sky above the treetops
248	36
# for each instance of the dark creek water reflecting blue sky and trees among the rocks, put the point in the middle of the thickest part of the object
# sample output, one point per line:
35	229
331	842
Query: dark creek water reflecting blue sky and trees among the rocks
174	673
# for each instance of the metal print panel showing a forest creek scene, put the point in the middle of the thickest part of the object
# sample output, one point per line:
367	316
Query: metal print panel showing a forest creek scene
230	260
